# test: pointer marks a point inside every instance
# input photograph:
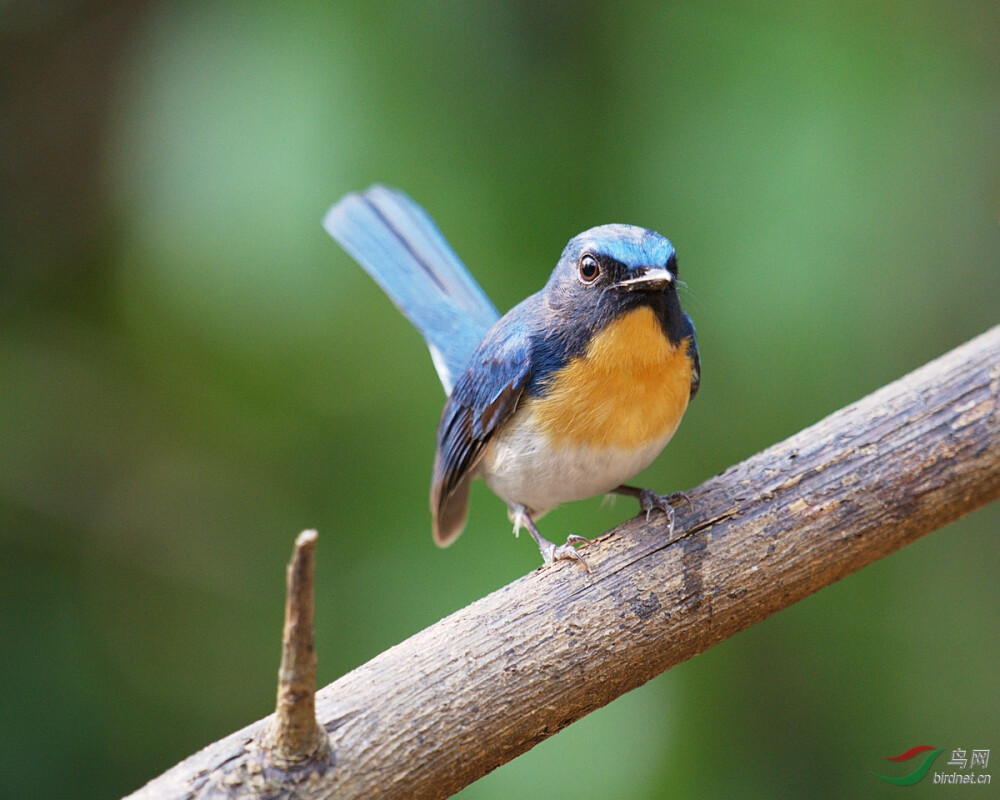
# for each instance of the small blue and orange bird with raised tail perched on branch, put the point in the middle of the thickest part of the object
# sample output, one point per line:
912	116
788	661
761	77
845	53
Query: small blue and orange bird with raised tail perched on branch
566	396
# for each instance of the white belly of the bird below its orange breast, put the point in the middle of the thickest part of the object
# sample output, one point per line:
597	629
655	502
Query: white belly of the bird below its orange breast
522	469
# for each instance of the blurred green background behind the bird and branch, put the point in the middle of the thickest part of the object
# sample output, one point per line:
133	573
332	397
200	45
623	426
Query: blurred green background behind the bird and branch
193	372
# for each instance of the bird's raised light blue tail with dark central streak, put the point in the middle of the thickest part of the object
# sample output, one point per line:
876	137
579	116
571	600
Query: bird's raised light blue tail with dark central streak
399	245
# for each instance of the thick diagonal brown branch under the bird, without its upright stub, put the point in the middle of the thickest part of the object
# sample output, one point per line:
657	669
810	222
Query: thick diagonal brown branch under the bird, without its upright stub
443	708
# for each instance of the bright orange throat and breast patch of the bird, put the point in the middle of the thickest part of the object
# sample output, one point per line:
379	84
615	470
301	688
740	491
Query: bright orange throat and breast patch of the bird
630	388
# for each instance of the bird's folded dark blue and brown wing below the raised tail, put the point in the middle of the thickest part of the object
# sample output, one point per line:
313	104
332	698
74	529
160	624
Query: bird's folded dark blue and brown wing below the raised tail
484	398
